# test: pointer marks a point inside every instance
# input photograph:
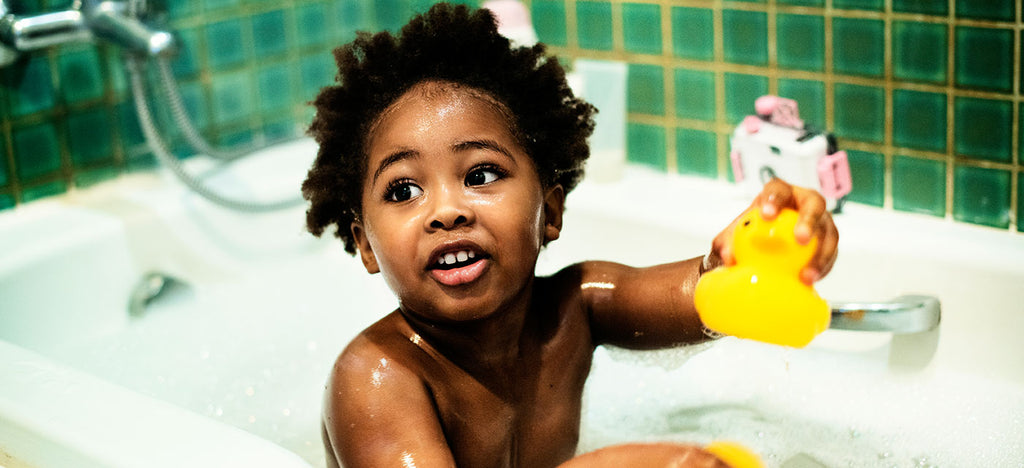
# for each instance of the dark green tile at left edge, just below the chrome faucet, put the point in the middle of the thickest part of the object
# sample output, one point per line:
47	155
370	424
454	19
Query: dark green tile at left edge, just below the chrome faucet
29	86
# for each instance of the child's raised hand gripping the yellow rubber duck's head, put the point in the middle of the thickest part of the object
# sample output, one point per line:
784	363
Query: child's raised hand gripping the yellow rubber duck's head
815	222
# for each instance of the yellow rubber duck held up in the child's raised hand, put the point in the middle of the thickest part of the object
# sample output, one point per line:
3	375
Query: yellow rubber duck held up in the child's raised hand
761	297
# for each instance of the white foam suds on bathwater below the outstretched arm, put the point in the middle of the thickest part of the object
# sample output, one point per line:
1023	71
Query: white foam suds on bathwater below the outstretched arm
793	407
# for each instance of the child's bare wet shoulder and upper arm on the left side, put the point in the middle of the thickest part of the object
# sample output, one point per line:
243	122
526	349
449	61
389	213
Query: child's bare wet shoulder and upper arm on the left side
375	394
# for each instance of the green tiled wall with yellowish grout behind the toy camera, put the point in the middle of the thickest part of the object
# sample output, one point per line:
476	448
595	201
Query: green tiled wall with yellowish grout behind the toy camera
924	96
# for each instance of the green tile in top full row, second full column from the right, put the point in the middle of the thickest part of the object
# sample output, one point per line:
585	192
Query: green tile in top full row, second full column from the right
920	52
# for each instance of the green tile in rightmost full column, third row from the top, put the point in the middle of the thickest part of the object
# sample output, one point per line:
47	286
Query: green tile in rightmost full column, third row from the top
984	129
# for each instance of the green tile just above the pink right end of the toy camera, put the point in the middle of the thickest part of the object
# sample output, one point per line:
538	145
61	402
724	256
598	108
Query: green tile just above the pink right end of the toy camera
861	112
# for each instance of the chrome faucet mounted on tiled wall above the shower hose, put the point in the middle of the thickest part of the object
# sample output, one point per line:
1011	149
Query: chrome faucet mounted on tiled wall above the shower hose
88	20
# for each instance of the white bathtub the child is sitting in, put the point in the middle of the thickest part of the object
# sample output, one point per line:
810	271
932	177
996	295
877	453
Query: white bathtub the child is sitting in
246	339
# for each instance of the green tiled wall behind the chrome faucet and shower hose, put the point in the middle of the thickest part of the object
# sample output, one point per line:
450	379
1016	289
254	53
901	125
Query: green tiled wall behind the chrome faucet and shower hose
246	71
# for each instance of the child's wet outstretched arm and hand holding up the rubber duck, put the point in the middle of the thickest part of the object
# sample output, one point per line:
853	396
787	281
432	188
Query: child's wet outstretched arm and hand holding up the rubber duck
653	308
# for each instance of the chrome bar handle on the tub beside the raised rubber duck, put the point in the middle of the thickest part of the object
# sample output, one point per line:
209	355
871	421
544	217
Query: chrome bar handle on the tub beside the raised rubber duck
905	315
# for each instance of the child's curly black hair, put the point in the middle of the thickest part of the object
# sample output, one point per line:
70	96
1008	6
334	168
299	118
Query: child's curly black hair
448	44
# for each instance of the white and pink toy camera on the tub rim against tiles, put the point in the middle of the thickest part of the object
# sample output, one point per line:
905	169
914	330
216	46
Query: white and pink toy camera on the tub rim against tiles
777	144
